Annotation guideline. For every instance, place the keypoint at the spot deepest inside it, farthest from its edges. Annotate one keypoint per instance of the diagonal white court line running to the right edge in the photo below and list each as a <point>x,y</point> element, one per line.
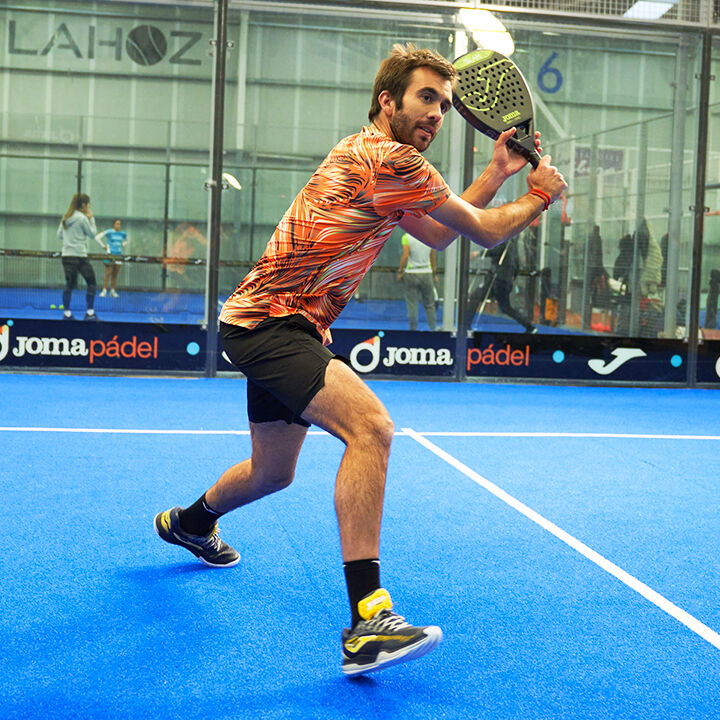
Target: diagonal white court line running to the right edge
<point>632,582</point>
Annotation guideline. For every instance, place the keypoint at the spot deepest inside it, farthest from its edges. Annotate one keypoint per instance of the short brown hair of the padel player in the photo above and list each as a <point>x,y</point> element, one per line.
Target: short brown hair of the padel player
<point>394,72</point>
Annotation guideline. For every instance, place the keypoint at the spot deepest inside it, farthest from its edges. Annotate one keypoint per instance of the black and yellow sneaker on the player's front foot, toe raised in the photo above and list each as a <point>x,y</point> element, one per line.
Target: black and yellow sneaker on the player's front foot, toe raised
<point>383,638</point>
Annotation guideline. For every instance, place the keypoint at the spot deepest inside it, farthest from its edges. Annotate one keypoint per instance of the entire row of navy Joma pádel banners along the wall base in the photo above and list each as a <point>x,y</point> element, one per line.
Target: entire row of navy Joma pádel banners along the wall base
<point>78,345</point>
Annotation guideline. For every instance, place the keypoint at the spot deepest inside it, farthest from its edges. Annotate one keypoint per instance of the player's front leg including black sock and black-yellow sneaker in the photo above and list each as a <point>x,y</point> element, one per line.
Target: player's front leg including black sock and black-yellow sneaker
<point>347,408</point>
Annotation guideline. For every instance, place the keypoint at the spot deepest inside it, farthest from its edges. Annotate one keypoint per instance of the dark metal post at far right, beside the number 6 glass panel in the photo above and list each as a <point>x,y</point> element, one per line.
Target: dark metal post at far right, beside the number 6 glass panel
<point>699,207</point>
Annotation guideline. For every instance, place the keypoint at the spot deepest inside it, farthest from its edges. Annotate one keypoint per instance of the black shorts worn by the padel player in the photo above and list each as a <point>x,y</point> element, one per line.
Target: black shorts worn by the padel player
<point>284,361</point>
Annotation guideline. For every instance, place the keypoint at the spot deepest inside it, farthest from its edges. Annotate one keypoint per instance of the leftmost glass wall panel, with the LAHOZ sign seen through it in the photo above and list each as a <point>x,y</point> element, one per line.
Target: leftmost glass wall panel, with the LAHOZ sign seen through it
<point>113,100</point>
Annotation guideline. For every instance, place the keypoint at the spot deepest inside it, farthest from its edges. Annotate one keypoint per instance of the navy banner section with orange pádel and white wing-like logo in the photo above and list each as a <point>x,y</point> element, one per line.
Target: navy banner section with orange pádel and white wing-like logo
<point>576,357</point>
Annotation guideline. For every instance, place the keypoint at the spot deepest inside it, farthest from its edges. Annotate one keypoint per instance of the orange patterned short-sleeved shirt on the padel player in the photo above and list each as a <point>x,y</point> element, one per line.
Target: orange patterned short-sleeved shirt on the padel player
<point>334,230</point>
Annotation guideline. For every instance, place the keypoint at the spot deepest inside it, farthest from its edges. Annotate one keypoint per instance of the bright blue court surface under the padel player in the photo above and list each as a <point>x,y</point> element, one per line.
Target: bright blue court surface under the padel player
<point>564,538</point>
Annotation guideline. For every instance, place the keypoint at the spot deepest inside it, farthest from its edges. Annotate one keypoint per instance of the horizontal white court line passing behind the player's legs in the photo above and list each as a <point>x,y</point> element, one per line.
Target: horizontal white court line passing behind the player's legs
<point>412,433</point>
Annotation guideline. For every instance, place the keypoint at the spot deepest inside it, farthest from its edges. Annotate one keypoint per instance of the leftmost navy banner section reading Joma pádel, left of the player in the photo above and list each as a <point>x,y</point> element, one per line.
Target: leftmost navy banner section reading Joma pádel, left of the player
<point>101,346</point>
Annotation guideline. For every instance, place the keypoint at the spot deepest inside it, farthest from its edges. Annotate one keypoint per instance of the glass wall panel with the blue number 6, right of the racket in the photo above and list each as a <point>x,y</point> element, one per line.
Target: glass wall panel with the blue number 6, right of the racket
<point>618,118</point>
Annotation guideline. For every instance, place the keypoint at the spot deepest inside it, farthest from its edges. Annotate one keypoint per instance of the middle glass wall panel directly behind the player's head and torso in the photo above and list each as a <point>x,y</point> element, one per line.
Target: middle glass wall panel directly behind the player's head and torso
<point>307,84</point>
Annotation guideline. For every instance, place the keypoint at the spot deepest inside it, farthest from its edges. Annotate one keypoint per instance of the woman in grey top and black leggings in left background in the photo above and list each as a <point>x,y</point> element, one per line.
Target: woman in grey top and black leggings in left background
<point>76,228</point>
